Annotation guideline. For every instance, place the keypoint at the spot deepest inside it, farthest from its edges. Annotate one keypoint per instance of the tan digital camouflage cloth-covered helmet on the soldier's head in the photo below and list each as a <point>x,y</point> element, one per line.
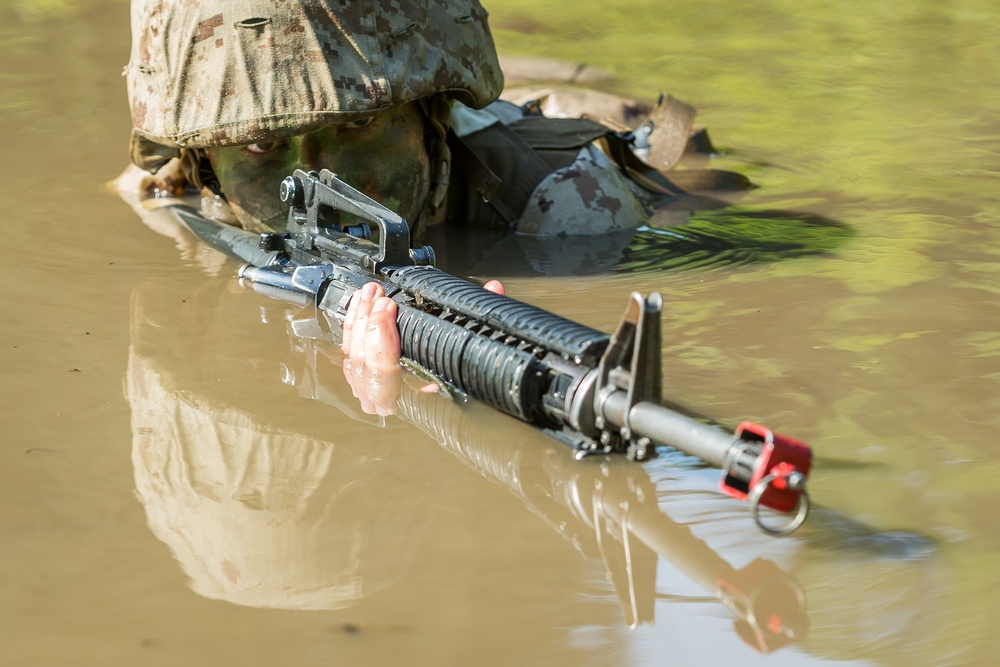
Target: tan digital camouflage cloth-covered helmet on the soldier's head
<point>236,72</point>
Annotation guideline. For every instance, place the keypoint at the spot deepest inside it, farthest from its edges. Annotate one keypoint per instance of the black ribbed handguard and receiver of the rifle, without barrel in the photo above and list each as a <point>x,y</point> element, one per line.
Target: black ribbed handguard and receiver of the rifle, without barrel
<point>517,358</point>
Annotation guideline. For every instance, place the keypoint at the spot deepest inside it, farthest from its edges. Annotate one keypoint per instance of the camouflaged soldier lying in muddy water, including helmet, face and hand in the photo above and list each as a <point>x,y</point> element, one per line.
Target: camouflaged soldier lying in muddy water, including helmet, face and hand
<point>398,98</point>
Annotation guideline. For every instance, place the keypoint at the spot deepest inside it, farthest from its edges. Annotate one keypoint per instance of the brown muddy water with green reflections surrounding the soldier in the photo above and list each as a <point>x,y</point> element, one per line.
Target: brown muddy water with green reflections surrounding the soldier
<point>184,481</point>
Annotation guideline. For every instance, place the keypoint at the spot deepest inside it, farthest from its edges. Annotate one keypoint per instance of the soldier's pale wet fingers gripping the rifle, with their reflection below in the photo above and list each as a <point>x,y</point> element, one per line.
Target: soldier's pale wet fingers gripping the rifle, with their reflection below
<point>372,350</point>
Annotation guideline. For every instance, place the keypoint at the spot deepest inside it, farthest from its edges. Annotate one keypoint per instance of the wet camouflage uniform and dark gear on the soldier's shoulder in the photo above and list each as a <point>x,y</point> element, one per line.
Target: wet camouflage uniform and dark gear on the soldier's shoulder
<point>569,176</point>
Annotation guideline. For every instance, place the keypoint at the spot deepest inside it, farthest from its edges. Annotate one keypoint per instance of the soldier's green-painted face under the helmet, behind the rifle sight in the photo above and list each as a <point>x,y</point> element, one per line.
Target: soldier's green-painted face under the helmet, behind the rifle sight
<point>384,156</point>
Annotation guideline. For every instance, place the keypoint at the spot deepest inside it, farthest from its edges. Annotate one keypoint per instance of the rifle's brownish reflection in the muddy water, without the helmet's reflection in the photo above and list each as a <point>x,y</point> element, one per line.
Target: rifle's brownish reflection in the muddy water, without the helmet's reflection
<point>611,511</point>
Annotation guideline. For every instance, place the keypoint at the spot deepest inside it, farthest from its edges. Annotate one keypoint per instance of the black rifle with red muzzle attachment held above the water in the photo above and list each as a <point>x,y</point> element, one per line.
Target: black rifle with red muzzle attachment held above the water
<point>599,394</point>
